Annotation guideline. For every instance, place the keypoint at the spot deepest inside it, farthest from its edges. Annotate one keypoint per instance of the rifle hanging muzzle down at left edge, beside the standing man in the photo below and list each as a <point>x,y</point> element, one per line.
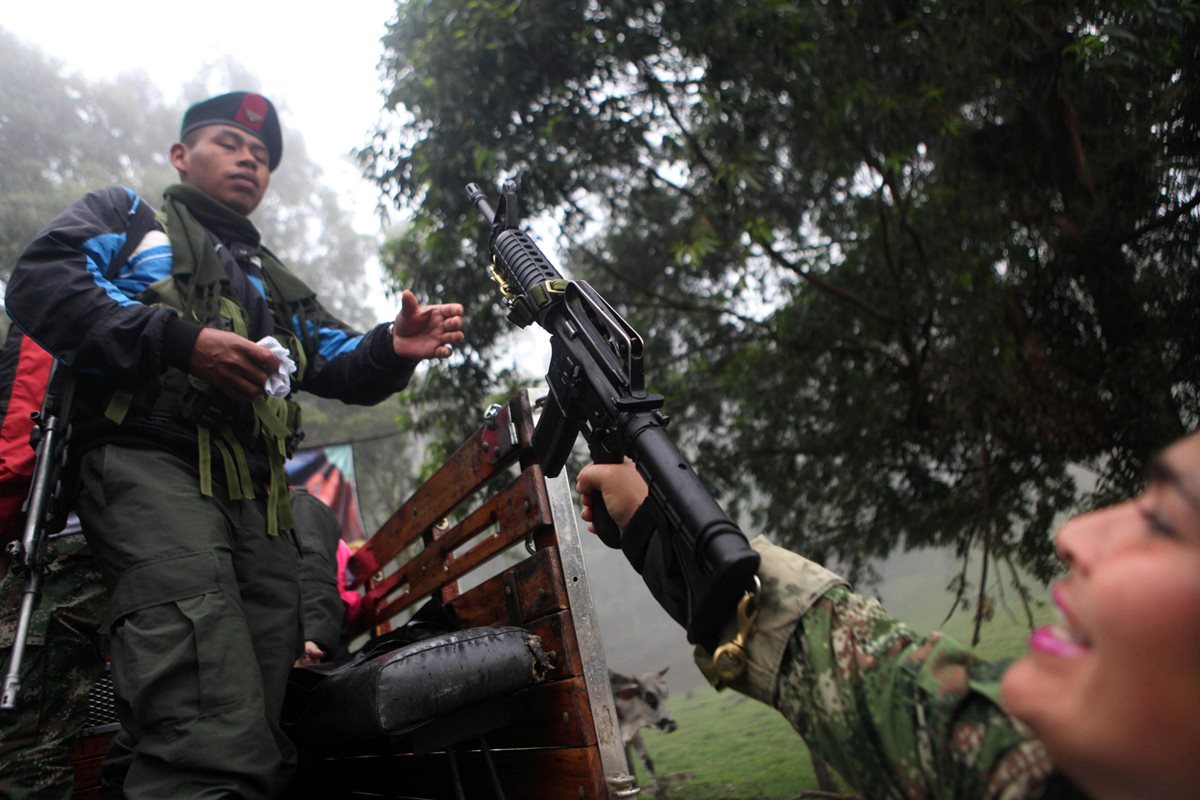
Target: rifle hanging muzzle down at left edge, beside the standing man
<point>45,513</point>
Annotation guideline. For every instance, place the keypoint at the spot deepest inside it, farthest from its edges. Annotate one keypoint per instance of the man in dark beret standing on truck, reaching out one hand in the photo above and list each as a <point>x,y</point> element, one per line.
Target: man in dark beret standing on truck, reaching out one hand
<point>187,354</point>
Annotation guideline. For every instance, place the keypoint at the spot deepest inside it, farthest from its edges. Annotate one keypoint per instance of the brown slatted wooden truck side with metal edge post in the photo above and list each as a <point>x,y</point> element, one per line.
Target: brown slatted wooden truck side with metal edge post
<point>557,738</point>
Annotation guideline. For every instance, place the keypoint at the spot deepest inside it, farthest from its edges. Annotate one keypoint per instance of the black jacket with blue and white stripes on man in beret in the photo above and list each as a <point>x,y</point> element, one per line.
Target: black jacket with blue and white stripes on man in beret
<point>68,297</point>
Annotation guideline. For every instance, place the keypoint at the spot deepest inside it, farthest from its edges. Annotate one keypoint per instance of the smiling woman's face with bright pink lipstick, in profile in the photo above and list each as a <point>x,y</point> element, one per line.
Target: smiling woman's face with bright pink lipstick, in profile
<point>1114,689</point>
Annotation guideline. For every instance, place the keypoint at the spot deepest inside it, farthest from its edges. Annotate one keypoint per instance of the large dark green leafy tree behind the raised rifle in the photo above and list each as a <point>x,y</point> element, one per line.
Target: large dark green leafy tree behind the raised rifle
<point>899,266</point>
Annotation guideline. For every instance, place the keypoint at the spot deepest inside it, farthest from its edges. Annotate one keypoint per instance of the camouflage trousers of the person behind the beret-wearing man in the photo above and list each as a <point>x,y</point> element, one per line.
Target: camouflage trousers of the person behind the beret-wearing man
<point>63,661</point>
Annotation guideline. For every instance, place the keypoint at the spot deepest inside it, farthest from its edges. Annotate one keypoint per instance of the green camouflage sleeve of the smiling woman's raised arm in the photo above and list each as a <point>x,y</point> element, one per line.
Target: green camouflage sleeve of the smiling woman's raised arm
<point>899,715</point>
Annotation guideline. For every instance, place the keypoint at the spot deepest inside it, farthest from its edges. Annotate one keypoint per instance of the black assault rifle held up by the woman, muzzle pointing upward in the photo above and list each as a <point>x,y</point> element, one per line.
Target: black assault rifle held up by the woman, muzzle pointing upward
<point>596,382</point>
